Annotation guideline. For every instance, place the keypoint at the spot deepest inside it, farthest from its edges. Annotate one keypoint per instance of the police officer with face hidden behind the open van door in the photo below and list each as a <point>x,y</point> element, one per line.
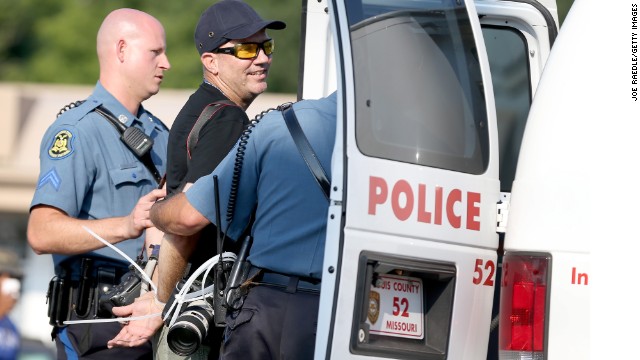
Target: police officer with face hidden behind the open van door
<point>288,232</point>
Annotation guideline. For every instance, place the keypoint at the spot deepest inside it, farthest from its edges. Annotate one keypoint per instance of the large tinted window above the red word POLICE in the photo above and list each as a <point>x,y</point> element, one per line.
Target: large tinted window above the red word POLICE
<point>419,91</point>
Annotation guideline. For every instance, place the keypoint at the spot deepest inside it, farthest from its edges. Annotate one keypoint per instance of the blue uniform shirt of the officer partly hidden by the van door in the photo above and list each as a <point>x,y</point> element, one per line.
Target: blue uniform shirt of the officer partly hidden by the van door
<point>291,214</point>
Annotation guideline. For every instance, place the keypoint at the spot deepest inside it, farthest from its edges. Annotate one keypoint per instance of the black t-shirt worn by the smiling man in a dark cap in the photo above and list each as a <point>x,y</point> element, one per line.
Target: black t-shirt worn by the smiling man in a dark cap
<point>216,138</point>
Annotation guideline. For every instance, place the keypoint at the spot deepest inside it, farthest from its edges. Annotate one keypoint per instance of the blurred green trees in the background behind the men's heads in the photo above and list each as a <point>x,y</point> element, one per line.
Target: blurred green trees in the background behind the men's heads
<point>54,41</point>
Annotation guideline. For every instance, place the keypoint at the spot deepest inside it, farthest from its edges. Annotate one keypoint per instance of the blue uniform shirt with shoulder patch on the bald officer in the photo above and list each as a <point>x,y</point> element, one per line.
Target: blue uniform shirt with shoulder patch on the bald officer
<point>87,171</point>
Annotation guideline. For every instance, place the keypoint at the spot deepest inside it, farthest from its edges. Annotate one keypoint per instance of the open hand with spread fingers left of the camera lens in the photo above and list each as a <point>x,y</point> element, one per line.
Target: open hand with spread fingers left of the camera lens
<point>137,332</point>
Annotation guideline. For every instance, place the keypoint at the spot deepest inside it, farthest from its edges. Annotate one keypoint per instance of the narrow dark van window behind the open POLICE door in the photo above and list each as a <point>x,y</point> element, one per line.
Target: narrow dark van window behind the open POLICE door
<point>510,75</point>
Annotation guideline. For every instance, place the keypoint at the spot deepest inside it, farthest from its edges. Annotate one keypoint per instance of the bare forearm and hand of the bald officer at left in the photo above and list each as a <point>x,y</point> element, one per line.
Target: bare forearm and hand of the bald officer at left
<point>51,231</point>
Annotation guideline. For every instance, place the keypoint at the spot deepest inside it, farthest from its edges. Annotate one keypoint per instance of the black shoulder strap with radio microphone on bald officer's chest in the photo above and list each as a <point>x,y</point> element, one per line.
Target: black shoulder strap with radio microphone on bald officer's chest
<point>135,140</point>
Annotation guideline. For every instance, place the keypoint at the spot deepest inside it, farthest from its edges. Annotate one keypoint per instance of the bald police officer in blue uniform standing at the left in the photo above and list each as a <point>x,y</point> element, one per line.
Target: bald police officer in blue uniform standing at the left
<point>89,178</point>
